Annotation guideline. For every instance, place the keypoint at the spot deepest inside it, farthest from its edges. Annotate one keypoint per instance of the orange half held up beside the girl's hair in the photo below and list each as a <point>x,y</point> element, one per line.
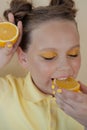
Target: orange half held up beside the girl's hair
<point>8,33</point>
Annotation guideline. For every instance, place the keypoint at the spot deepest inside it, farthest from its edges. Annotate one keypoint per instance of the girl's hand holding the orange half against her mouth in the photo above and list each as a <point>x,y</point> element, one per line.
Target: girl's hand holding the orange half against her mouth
<point>74,104</point>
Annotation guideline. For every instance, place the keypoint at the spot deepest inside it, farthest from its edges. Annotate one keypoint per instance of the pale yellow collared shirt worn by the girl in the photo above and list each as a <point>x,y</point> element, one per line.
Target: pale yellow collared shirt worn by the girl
<point>24,107</point>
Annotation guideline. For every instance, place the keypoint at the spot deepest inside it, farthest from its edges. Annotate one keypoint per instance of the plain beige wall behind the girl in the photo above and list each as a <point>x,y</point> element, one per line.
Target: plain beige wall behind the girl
<point>15,68</point>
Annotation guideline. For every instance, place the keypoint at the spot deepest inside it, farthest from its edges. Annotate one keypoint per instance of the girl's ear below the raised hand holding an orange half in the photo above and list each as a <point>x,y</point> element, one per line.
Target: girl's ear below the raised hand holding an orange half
<point>22,57</point>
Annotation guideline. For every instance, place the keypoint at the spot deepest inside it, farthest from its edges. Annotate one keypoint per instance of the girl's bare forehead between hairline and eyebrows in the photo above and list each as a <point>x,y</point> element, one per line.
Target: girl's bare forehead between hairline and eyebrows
<point>55,33</point>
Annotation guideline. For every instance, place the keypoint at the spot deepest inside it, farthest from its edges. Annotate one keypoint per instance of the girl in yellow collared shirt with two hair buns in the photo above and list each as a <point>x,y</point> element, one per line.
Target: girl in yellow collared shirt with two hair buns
<point>49,48</point>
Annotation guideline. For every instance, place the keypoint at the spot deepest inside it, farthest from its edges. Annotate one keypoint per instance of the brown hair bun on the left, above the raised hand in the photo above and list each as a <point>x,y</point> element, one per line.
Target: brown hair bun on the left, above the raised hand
<point>19,8</point>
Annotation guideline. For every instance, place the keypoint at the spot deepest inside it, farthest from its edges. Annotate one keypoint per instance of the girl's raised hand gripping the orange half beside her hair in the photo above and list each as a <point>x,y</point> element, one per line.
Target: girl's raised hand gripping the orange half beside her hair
<point>8,51</point>
